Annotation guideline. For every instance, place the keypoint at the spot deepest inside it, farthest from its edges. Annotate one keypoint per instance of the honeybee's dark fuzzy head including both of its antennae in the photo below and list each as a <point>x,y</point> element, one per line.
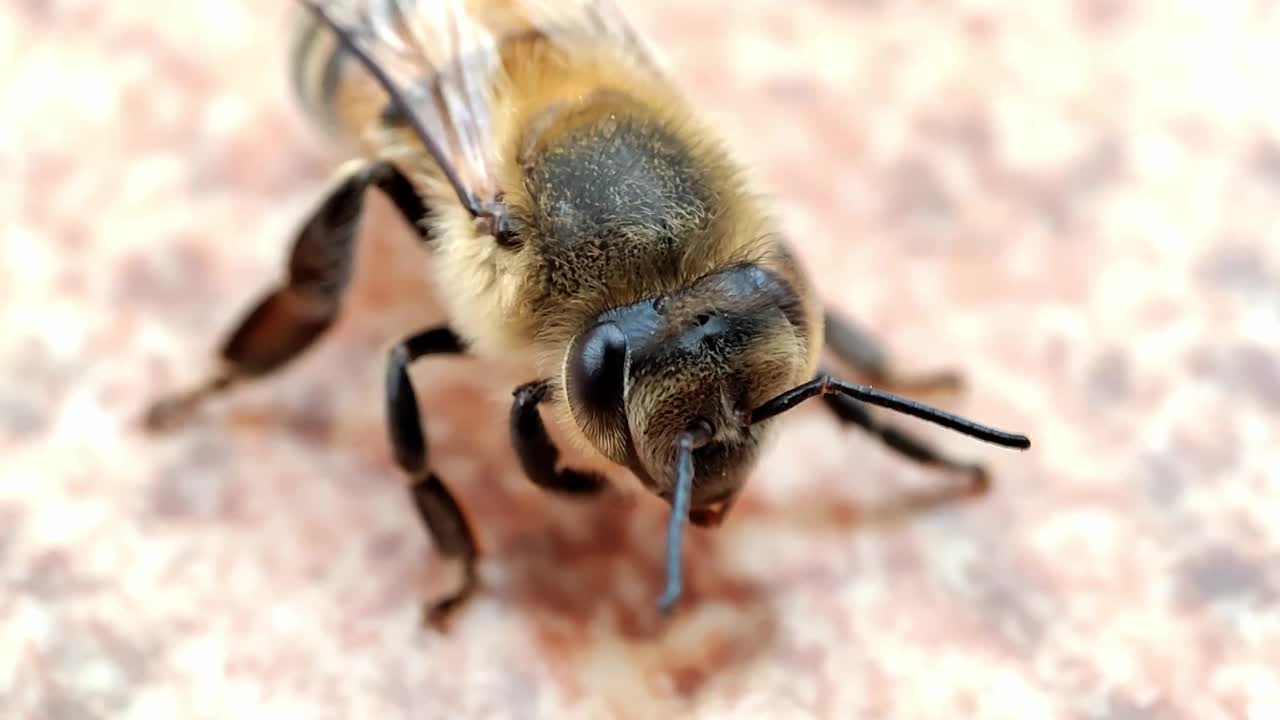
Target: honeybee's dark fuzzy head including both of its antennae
<point>679,389</point>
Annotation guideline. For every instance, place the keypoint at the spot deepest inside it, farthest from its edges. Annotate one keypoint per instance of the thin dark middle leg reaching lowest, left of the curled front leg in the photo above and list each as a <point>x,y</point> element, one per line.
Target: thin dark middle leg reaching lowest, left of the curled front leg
<point>441,513</point>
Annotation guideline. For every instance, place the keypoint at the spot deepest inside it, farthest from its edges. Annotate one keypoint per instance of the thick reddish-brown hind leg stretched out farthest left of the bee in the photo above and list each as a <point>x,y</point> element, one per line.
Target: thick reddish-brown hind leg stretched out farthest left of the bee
<point>294,316</point>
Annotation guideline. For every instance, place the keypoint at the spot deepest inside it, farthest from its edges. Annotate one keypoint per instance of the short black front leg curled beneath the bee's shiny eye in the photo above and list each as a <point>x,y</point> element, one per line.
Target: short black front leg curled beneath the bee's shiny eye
<point>537,452</point>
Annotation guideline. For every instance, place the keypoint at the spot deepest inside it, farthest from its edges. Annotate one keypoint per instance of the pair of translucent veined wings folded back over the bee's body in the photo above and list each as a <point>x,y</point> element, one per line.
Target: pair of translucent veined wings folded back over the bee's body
<point>437,61</point>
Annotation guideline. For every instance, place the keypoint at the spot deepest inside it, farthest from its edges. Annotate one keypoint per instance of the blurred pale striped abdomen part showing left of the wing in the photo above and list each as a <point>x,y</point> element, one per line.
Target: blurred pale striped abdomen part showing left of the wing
<point>317,65</point>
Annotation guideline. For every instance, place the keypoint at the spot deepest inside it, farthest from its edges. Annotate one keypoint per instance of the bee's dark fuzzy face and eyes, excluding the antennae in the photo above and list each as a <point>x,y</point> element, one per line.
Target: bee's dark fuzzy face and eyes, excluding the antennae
<point>643,375</point>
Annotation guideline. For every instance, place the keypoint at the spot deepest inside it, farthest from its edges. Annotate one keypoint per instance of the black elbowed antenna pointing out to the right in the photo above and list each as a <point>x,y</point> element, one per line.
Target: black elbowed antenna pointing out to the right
<point>826,385</point>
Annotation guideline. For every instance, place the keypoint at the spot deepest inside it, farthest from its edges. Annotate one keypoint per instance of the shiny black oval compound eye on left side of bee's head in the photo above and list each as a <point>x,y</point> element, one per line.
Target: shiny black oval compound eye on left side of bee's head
<point>597,371</point>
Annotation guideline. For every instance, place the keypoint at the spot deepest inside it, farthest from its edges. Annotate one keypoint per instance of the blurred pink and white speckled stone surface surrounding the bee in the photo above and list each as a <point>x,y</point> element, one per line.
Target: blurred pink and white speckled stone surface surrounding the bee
<point>1076,204</point>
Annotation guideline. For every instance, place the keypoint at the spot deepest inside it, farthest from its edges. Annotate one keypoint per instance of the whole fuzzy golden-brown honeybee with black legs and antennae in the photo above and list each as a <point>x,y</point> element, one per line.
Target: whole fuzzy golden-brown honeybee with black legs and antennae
<point>583,221</point>
